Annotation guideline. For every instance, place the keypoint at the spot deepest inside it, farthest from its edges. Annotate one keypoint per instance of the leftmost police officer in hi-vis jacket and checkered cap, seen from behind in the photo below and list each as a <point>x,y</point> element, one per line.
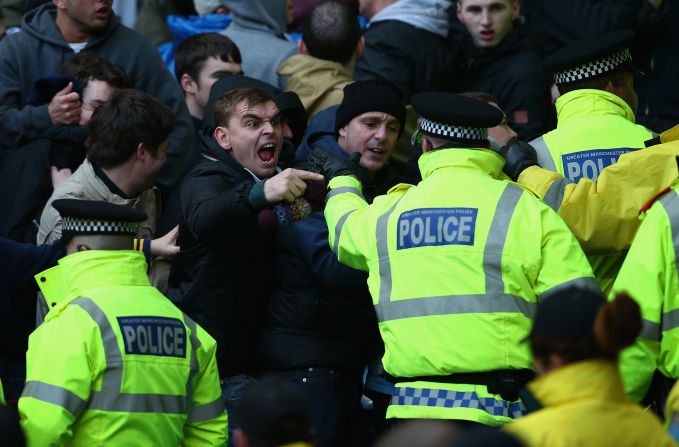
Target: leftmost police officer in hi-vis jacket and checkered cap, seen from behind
<point>116,363</point>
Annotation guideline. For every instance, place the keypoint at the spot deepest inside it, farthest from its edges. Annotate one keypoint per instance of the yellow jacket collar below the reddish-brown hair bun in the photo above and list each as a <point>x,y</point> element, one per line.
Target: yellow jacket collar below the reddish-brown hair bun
<point>588,379</point>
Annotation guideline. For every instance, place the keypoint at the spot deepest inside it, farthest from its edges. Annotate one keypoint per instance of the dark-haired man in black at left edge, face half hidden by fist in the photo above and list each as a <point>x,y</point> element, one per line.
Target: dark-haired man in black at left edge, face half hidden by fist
<point>28,176</point>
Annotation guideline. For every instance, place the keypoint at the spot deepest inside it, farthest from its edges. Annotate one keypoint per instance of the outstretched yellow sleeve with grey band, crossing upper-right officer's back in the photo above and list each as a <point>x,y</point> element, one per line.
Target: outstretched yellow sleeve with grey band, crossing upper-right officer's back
<point>603,214</point>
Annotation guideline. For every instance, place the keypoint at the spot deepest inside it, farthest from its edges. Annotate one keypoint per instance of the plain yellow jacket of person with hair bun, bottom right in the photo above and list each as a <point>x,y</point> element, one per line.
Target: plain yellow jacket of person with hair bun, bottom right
<point>584,405</point>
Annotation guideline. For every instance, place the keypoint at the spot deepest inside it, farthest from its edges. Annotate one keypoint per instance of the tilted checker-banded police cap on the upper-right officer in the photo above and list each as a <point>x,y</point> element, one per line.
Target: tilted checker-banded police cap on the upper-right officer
<point>590,58</point>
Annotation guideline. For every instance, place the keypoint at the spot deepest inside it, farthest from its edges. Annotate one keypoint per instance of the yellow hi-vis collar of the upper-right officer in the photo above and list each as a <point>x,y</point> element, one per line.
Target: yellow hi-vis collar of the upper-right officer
<point>584,103</point>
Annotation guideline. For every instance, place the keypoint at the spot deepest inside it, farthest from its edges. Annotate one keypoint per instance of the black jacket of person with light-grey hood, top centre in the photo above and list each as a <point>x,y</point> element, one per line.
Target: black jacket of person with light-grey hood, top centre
<point>414,60</point>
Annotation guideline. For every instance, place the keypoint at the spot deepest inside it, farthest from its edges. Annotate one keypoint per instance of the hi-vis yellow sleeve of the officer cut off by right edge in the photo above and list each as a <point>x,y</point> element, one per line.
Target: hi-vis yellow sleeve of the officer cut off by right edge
<point>648,275</point>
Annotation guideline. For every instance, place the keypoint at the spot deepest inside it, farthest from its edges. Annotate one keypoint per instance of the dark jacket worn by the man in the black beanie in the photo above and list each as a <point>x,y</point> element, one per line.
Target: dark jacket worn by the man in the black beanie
<point>321,314</point>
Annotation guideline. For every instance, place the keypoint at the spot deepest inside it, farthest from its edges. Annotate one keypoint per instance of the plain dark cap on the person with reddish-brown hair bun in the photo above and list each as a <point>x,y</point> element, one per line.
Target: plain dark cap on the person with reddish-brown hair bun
<point>568,314</point>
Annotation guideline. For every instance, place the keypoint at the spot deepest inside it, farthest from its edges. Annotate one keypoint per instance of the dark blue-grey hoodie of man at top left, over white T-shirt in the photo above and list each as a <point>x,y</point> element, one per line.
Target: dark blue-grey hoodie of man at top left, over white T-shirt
<point>40,49</point>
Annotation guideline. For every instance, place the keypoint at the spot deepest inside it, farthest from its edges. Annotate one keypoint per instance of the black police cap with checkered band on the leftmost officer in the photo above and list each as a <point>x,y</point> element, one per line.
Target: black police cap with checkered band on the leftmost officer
<point>93,217</point>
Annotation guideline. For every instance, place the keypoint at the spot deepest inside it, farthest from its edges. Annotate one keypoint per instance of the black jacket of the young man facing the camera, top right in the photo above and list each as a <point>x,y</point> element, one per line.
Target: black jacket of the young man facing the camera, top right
<point>512,73</point>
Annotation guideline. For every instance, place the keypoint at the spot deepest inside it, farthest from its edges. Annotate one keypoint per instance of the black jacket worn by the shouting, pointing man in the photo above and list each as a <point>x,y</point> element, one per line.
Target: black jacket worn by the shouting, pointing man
<point>224,273</point>
